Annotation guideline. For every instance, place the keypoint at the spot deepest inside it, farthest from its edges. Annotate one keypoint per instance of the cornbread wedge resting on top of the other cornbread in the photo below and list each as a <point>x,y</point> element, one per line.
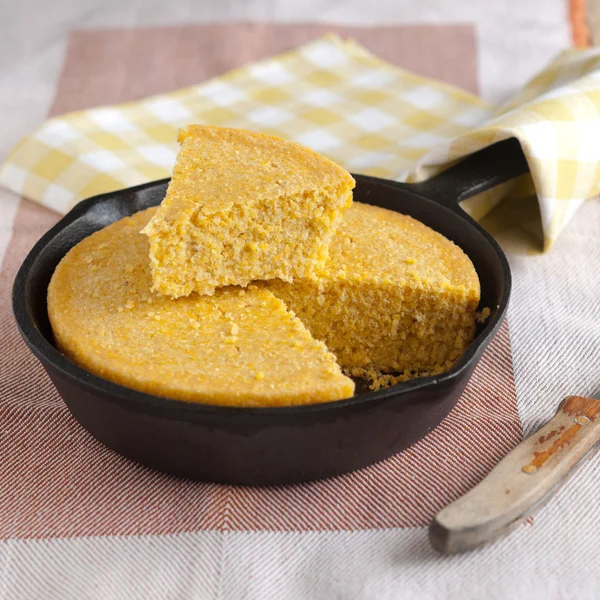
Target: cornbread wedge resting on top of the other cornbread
<point>244,206</point>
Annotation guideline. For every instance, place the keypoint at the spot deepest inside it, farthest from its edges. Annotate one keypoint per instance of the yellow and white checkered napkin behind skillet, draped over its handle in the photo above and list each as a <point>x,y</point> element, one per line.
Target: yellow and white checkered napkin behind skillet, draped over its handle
<point>337,98</point>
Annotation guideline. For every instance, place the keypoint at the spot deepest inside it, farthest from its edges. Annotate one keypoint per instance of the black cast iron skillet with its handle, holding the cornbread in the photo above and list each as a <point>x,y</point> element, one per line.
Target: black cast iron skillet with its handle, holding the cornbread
<point>268,446</point>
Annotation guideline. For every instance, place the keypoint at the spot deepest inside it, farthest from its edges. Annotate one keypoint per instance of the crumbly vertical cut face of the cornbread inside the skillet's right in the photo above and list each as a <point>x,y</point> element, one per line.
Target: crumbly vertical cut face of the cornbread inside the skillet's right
<point>376,326</point>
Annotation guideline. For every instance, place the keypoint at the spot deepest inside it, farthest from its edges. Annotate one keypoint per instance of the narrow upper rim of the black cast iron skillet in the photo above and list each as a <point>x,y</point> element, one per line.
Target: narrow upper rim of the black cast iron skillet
<point>177,409</point>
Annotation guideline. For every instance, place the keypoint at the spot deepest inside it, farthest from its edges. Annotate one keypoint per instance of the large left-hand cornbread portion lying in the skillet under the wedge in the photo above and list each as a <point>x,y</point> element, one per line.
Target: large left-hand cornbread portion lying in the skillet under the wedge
<point>238,347</point>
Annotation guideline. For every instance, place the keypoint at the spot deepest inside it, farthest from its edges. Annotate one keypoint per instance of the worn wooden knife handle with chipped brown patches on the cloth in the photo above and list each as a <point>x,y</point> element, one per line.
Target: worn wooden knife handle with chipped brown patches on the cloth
<point>523,481</point>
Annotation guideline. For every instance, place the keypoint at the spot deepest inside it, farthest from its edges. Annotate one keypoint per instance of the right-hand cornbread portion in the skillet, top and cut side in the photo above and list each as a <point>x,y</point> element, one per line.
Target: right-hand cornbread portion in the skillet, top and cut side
<point>395,296</point>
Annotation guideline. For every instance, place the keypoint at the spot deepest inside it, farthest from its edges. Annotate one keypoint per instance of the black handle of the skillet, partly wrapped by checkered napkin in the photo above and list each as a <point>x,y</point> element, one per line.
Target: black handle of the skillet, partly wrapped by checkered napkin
<point>477,173</point>
